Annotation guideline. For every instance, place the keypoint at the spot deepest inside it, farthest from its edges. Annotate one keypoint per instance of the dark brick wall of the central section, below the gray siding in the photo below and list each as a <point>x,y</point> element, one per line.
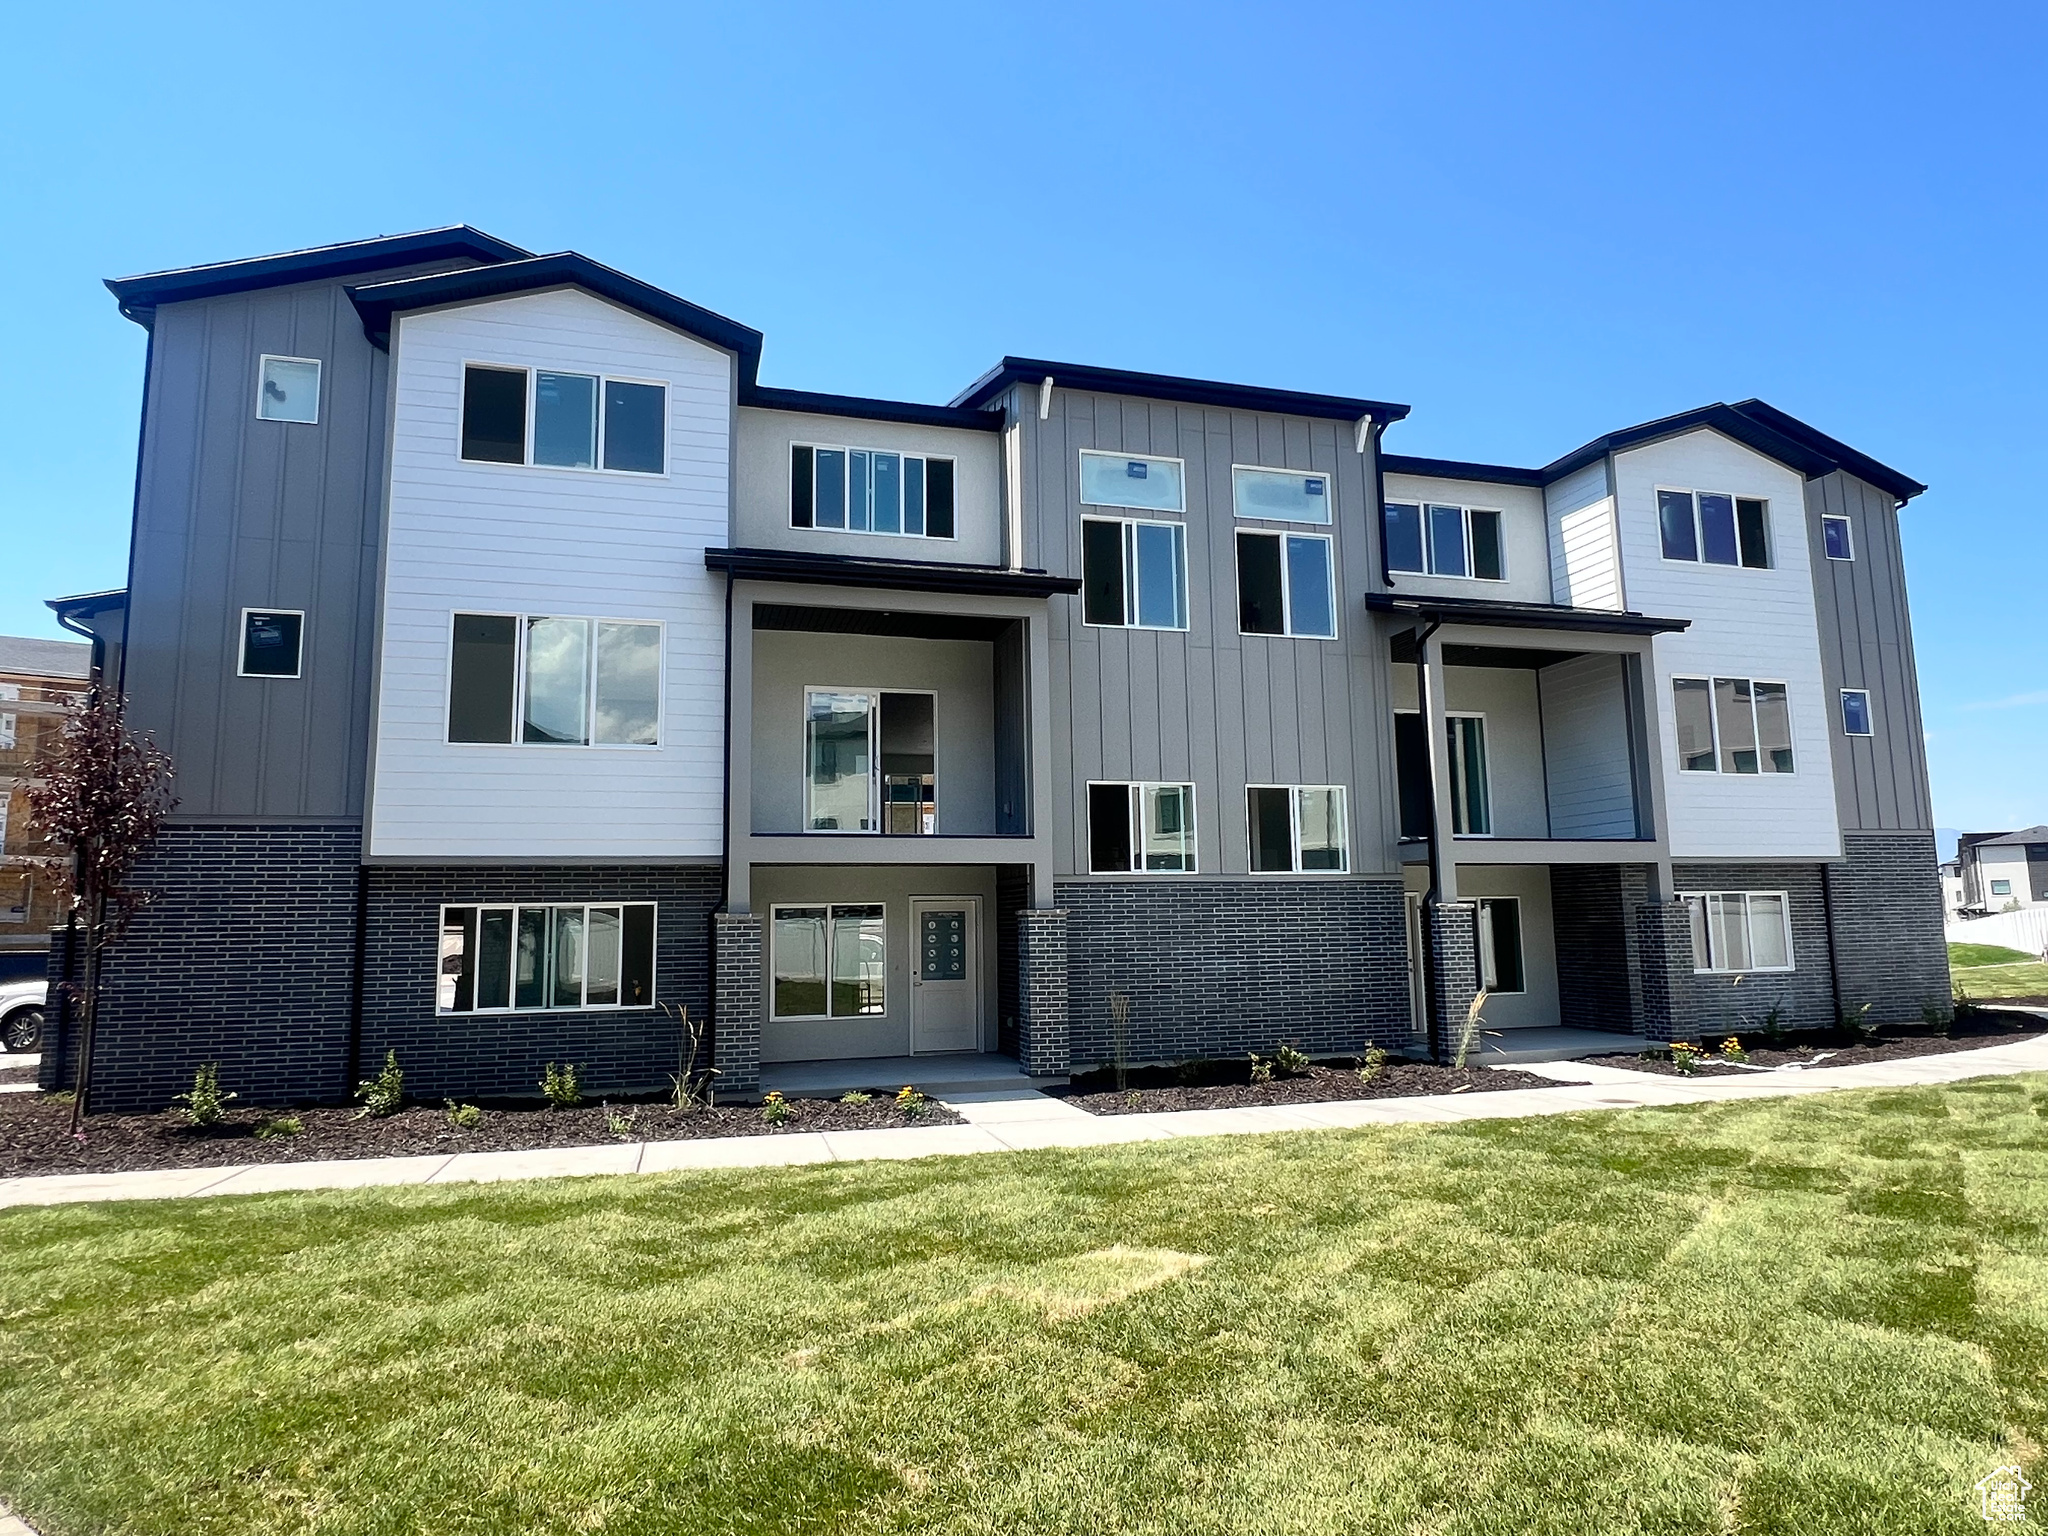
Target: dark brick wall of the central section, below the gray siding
<point>1222,968</point>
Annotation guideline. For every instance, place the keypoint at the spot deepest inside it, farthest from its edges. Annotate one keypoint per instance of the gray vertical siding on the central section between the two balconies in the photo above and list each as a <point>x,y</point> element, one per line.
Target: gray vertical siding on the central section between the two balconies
<point>1209,706</point>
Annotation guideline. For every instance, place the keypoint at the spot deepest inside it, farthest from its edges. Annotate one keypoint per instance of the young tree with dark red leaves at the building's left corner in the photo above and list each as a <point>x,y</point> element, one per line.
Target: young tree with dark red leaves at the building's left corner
<point>101,794</point>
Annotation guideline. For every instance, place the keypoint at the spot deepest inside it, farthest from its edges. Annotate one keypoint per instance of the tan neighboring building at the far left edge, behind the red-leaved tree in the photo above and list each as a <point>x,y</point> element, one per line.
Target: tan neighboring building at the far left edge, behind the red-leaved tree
<point>38,681</point>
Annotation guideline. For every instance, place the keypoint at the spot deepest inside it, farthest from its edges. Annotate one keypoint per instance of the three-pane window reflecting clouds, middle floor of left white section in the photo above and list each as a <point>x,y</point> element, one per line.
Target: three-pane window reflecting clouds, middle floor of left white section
<point>548,681</point>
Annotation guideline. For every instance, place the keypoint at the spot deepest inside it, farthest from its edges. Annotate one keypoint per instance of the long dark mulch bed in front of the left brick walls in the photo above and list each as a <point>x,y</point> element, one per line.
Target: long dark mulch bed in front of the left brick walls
<point>34,1134</point>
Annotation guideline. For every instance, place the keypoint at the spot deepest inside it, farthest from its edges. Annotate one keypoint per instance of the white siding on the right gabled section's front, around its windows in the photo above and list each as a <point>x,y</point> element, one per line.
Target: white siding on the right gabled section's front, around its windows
<point>1744,626</point>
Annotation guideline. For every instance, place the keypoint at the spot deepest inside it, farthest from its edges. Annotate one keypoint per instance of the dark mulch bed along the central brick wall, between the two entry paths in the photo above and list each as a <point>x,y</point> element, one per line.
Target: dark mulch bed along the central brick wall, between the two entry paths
<point>1228,1086</point>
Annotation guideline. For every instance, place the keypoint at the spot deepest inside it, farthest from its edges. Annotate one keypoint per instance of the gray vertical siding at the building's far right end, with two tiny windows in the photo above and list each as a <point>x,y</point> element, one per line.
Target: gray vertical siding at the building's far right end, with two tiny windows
<point>1867,642</point>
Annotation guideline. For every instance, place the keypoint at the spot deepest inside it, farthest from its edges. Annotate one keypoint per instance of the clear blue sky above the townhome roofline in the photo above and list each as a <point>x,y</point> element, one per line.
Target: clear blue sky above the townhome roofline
<point>1535,224</point>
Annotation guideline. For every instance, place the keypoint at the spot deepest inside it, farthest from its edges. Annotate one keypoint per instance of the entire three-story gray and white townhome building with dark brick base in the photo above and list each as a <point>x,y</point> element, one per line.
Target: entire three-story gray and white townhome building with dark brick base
<point>534,671</point>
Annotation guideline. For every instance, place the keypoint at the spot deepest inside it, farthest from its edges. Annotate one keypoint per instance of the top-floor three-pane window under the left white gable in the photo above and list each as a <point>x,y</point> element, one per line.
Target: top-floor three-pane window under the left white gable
<point>564,421</point>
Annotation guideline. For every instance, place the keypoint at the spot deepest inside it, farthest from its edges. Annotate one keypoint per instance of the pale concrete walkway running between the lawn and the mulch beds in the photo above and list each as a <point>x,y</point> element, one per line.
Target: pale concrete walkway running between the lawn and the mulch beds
<point>1021,1119</point>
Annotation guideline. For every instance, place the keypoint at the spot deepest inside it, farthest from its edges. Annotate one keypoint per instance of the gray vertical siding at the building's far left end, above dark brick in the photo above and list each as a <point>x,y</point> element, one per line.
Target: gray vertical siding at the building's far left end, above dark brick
<point>239,513</point>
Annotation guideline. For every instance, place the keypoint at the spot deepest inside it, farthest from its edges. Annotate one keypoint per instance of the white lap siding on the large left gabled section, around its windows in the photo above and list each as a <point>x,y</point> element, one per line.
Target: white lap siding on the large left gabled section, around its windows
<point>513,540</point>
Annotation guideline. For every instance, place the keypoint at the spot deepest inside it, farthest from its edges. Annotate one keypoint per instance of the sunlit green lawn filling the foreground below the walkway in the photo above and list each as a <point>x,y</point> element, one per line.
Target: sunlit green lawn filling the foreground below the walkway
<point>1791,1316</point>
